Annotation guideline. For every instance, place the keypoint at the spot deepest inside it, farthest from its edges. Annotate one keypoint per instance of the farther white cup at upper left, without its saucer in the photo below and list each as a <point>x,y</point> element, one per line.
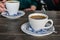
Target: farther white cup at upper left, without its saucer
<point>12,7</point>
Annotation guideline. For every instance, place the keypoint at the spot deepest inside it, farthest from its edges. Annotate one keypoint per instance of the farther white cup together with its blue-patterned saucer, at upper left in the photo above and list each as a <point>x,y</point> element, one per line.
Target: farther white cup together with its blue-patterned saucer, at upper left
<point>12,10</point>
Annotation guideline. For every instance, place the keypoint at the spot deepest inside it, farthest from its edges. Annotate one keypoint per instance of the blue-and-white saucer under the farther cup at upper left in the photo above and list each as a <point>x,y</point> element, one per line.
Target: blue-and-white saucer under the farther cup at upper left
<point>15,16</point>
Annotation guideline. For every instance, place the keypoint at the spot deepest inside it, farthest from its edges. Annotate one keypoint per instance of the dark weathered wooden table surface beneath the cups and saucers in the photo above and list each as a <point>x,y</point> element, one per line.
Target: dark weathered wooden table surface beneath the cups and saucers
<point>11,29</point>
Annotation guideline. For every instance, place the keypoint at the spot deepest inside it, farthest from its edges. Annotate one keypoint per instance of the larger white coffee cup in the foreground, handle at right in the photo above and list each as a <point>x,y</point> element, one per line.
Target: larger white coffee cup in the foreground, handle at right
<point>38,24</point>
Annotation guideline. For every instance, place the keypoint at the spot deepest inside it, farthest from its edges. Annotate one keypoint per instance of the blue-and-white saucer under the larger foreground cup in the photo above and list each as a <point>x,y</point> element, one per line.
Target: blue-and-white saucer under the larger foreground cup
<point>41,33</point>
